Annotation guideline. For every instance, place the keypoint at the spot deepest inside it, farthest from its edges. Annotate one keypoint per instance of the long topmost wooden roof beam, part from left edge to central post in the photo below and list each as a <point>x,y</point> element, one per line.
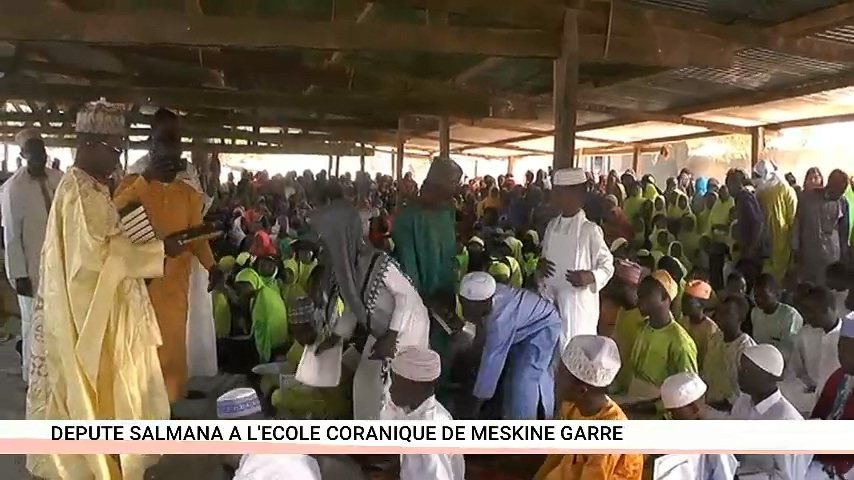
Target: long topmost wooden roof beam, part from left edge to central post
<point>210,31</point>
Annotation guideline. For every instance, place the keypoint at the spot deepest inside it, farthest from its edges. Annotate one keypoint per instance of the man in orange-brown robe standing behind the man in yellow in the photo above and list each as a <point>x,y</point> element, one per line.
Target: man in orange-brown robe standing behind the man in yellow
<point>172,206</point>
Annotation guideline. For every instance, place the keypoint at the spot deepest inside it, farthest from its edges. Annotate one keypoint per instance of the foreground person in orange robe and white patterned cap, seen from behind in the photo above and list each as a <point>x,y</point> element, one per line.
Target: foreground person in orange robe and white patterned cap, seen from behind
<point>588,366</point>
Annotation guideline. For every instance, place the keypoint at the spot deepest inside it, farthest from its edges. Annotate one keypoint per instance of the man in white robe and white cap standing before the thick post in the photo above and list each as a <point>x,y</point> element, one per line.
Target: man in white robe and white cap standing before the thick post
<point>576,262</point>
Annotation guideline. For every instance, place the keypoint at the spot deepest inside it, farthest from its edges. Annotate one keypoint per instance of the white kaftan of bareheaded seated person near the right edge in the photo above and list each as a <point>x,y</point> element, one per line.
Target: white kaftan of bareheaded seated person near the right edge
<point>814,358</point>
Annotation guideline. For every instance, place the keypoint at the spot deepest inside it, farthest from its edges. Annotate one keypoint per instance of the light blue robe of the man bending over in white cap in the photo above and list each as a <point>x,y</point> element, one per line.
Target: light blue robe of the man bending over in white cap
<point>521,335</point>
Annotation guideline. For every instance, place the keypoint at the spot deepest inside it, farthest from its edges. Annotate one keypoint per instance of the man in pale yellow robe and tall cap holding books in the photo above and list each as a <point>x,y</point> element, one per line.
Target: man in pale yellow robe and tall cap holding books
<point>95,335</point>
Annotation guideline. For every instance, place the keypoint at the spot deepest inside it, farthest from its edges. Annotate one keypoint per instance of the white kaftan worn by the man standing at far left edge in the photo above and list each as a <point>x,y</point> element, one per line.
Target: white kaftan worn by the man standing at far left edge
<point>24,206</point>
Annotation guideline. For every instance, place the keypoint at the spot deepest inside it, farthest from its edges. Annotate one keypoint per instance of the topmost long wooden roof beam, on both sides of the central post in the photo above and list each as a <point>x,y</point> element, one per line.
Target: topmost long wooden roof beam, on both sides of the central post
<point>668,47</point>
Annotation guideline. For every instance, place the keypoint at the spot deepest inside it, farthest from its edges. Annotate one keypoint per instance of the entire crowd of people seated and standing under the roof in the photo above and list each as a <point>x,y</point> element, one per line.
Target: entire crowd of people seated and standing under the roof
<point>556,296</point>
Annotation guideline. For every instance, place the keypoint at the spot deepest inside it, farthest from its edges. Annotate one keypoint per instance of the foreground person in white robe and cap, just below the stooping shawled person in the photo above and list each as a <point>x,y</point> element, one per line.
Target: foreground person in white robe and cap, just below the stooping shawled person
<point>414,371</point>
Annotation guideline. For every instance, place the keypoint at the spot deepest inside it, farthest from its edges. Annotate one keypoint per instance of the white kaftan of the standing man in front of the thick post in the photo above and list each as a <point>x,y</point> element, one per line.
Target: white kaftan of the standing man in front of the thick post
<point>575,243</point>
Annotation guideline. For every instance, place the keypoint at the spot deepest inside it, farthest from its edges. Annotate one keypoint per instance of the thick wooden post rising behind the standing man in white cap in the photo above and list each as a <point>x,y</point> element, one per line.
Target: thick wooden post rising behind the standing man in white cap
<point>566,92</point>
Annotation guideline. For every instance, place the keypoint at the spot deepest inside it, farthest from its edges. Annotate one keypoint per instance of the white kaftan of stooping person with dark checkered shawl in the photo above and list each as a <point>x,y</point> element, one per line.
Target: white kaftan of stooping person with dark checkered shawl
<point>412,322</point>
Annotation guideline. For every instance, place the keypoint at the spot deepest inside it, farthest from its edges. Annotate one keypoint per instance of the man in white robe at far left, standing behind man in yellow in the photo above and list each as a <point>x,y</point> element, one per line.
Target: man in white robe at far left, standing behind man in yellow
<point>25,203</point>
